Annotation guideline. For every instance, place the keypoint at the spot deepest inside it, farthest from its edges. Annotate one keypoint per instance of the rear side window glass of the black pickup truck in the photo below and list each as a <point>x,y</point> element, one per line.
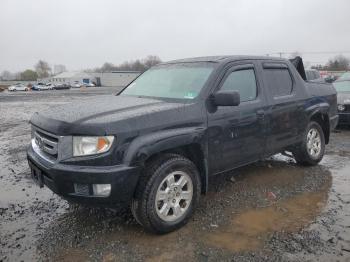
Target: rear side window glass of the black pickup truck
<point>279,81</point>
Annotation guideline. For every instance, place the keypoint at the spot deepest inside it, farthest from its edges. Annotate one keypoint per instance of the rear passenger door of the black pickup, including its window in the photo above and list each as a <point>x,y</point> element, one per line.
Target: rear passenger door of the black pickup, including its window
<point>285,112</point>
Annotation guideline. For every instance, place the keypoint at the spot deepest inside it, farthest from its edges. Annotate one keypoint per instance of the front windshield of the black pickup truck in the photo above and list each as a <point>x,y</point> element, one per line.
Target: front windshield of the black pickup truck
<point>183,80</point>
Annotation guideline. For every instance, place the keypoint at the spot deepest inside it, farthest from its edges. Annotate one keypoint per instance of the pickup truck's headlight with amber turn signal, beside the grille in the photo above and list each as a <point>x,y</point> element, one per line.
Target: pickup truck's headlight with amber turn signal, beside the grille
<point>91,145</point>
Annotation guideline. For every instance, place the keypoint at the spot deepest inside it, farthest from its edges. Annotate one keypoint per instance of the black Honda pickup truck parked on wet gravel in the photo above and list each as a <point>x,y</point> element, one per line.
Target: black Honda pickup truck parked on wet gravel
<point>154,145</point>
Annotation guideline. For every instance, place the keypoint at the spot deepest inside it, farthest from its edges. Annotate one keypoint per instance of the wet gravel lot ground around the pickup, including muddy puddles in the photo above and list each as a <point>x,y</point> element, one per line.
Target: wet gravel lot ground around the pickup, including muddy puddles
<point>269,211</point>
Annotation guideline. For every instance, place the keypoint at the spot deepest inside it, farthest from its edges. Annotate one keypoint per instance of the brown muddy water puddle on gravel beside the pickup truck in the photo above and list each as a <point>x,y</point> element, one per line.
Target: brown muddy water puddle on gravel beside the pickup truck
<point>248,230</point>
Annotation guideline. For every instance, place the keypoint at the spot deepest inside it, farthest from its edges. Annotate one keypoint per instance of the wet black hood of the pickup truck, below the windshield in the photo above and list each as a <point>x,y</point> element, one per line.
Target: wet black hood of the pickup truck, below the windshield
<point>110,115</point>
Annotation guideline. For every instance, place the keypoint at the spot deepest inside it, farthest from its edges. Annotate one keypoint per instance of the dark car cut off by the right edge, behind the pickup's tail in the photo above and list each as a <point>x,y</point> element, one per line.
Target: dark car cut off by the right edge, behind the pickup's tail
<point>342,85</point>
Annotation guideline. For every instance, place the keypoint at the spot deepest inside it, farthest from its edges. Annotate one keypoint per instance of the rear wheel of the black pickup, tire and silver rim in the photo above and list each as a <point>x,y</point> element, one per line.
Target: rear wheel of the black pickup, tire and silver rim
<point>310,154</point>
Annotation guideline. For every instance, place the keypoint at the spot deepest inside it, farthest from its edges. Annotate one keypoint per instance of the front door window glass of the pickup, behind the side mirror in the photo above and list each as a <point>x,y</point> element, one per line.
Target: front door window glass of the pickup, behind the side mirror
<point>242,81</point>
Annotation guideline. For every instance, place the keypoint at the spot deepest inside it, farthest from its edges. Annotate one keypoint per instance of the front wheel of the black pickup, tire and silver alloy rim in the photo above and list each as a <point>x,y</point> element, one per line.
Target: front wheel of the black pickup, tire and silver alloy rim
<point>158,205</point>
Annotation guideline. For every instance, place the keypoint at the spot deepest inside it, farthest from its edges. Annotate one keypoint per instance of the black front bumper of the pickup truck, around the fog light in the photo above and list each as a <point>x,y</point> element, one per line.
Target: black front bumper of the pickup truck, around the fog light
<point>60,178</point>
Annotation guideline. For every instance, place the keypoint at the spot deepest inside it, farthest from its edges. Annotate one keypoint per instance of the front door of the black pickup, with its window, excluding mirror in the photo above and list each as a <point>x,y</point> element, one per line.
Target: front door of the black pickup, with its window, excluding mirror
<point>237,134</point>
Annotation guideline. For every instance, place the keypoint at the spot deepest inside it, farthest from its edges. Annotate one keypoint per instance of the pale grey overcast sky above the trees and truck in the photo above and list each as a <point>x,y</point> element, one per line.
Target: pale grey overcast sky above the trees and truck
<point>85,34</point>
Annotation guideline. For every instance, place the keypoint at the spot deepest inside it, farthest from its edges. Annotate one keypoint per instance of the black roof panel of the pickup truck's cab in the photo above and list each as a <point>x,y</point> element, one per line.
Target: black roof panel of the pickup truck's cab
<point>226,58</point>
